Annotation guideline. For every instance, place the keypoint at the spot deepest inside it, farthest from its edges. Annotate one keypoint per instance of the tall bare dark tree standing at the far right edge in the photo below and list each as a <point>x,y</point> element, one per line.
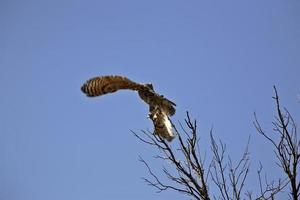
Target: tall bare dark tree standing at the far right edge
<point>286,145</point>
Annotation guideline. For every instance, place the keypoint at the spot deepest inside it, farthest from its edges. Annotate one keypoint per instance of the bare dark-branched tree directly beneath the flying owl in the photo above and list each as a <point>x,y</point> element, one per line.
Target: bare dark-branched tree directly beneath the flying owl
<point>189,176</point>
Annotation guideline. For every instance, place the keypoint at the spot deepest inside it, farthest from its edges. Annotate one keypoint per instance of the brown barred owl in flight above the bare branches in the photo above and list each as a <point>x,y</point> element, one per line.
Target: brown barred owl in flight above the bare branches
<point>160,108</point>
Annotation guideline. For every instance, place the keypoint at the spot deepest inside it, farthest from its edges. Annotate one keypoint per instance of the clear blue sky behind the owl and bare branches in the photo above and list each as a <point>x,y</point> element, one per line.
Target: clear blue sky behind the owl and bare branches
<point>216,59</point>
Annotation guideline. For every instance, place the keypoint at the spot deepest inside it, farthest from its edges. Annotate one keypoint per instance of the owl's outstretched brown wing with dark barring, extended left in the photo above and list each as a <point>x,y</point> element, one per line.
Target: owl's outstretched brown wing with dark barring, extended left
<point>108,84</point>
